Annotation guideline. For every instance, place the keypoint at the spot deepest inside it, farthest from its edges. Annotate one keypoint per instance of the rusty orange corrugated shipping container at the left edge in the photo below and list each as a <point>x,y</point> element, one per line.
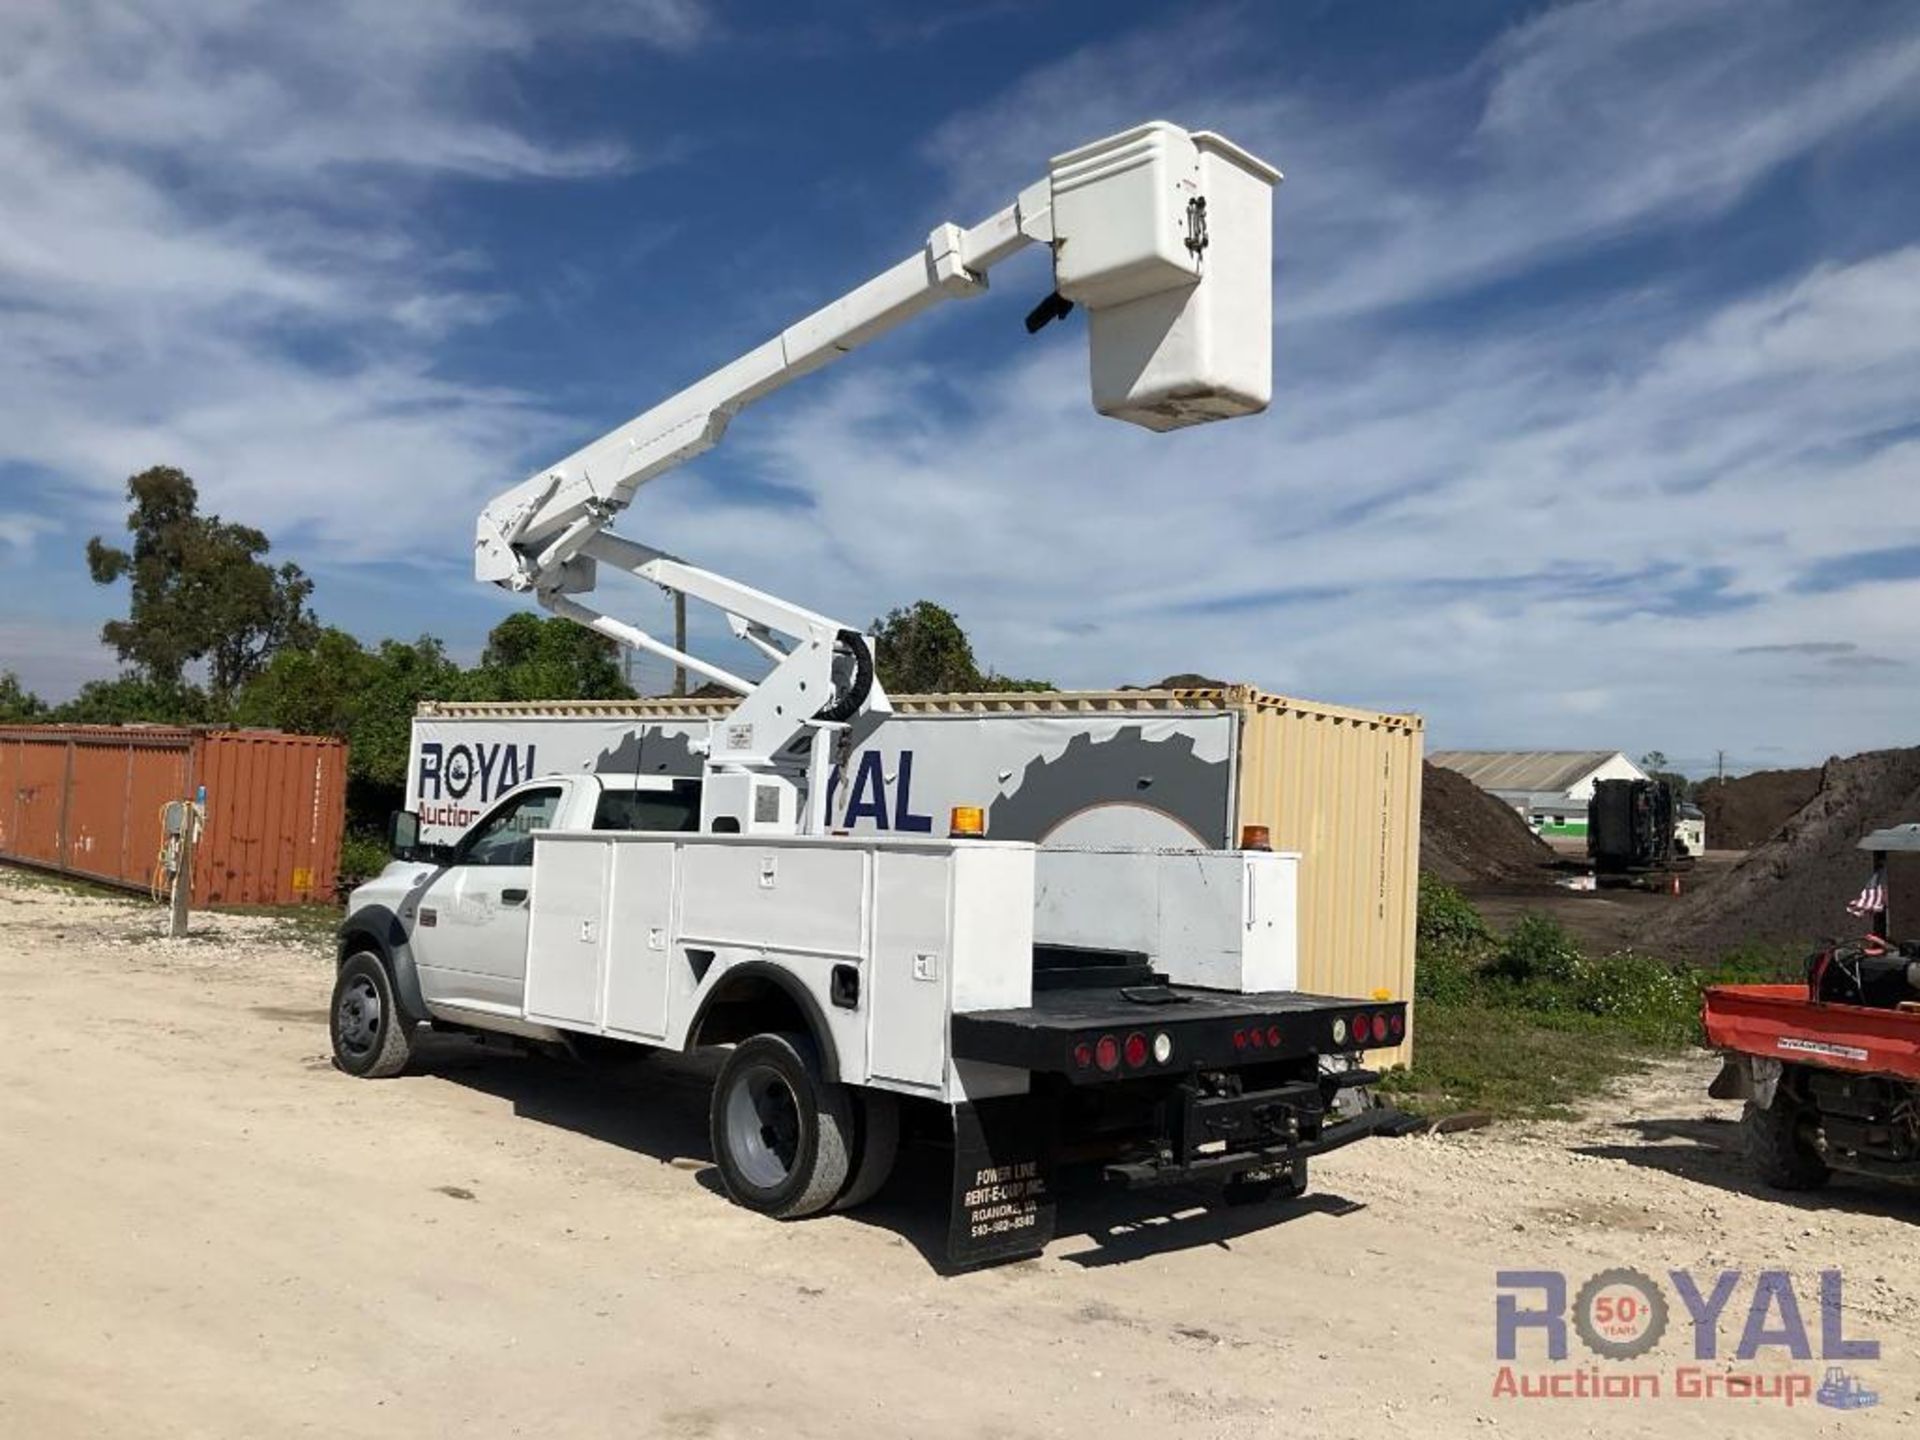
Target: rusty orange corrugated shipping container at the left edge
<point>87,802</point>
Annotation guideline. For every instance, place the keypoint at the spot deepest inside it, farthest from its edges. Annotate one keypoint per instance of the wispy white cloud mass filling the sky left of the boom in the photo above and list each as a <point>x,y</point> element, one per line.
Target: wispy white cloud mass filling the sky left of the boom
<point>191,189</point>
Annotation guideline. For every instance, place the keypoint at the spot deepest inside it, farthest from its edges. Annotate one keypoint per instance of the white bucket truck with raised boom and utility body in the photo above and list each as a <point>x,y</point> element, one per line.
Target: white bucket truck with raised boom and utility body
<point>1130,1009</point>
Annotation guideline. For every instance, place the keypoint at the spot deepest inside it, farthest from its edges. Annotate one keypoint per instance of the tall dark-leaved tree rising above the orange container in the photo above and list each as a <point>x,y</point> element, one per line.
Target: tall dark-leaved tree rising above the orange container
<point>201,590</point>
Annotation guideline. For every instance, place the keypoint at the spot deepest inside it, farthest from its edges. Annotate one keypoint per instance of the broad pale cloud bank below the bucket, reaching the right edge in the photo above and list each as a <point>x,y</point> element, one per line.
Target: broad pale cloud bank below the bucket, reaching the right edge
<point>1520,531</point>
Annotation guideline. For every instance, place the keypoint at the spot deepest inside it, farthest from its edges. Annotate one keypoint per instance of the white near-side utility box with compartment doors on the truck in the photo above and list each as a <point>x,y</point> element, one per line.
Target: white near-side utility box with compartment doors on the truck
<point>633,932</point>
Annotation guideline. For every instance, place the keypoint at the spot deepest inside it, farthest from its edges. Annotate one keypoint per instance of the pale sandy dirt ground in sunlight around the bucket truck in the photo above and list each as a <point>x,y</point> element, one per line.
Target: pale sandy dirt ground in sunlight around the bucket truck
<point>208,1232</point>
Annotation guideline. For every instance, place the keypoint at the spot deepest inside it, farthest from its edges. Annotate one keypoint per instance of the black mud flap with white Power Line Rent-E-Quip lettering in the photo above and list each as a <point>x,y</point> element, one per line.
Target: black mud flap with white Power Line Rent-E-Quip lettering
<point>1003,1189</point>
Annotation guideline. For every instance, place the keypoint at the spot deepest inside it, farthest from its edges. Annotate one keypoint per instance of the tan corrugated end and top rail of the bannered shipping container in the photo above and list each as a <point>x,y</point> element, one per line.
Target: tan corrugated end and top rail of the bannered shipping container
<point>1335,784</point>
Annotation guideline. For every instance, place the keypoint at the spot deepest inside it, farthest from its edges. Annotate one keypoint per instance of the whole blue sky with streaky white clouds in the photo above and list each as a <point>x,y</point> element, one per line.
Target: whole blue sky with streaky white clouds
<point>1596,402</point>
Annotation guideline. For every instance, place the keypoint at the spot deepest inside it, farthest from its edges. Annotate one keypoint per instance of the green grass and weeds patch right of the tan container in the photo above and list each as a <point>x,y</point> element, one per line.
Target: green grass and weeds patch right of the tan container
<point>1529,1024</point>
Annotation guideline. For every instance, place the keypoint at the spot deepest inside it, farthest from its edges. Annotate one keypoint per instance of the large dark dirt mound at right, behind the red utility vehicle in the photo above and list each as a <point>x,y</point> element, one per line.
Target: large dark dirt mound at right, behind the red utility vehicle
<point>1798,884</point>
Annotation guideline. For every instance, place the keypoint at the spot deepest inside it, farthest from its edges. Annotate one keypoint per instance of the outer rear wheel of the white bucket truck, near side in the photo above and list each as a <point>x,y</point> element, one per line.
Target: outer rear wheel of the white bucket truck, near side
<point>782,1134</point>
